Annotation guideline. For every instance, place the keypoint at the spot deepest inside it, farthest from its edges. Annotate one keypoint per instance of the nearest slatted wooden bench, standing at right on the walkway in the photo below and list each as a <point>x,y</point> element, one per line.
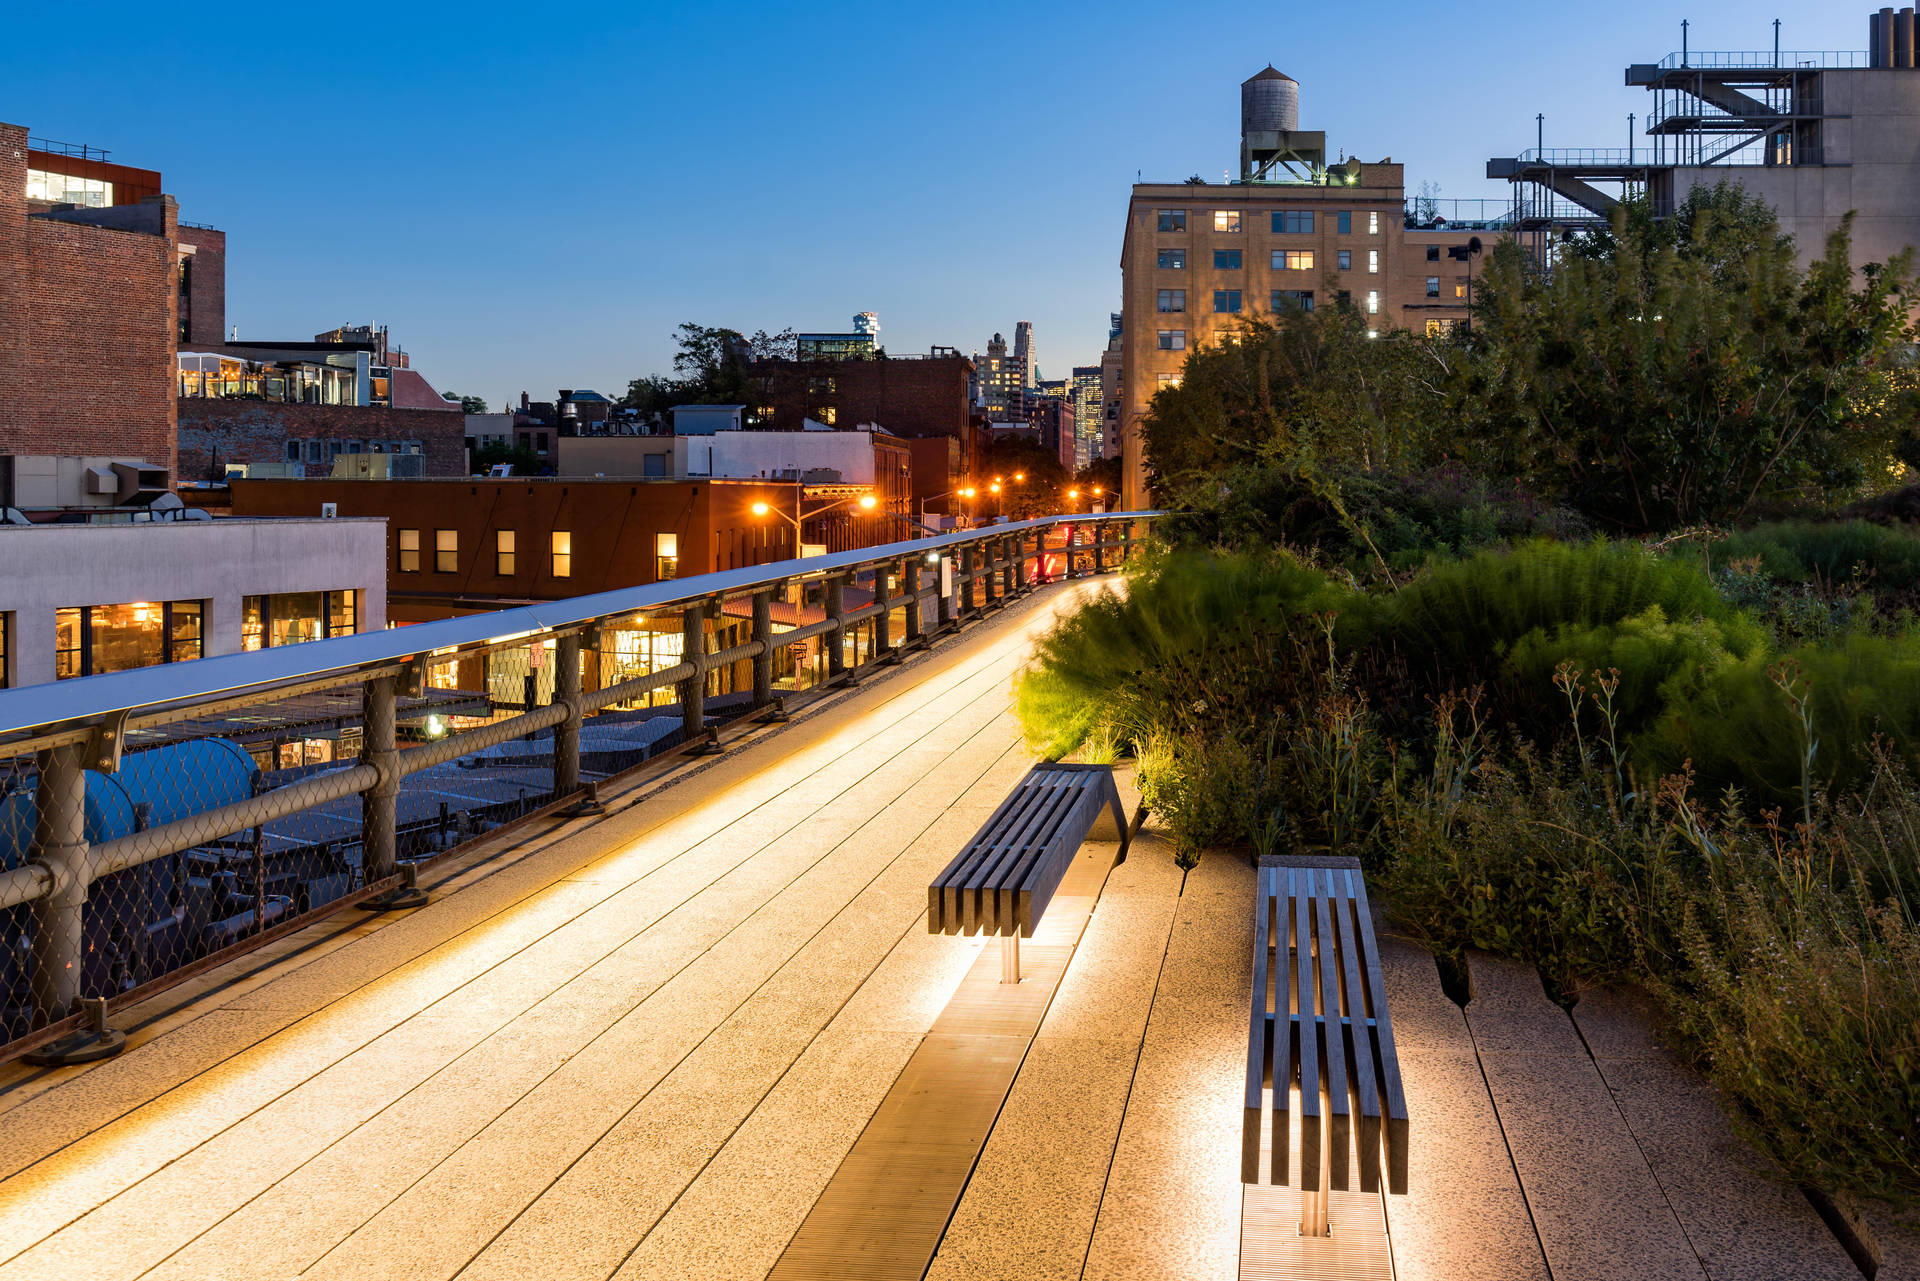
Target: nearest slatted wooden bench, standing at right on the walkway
<point>1318,980</point>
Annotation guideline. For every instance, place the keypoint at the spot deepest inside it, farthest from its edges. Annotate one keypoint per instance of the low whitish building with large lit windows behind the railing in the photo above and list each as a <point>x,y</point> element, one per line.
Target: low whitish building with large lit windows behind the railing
<point>78,600</point>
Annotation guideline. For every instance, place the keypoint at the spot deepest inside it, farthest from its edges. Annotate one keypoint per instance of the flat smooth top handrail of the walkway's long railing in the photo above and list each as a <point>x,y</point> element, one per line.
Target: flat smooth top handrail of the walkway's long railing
<point>89,700</point>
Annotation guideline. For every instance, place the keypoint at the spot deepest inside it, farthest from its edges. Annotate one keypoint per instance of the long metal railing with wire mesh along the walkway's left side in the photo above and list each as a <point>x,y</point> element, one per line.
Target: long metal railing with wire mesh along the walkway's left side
<point>156,821</point>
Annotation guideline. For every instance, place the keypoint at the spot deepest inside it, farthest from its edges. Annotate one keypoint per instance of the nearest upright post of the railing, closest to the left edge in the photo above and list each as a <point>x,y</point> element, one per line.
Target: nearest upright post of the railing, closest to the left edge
<point>60,842</point>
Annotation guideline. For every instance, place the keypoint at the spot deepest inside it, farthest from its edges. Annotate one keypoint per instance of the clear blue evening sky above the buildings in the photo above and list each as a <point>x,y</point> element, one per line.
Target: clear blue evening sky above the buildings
<point>533,197</point>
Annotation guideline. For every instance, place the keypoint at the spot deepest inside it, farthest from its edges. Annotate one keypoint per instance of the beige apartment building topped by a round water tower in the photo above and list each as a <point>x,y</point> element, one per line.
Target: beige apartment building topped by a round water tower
<point>1203,258</point>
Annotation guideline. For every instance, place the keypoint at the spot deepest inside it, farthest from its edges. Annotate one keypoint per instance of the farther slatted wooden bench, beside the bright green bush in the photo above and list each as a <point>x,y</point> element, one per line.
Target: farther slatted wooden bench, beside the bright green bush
<point>1003,881</point>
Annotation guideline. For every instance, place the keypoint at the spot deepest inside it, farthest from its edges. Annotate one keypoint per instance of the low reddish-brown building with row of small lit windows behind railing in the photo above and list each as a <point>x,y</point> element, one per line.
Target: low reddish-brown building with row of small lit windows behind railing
<point>468,546</point>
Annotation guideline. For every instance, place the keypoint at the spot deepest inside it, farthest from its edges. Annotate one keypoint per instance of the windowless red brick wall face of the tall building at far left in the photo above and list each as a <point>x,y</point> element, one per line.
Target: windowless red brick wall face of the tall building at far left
<point>87,327</point>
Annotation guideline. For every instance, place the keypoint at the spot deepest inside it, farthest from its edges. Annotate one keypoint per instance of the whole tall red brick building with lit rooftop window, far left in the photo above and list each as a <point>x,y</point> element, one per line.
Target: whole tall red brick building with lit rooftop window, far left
<point>89,320</point>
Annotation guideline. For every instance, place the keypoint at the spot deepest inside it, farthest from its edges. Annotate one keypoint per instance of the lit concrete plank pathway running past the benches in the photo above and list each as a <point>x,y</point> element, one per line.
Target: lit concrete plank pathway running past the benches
<point>644,1046</point>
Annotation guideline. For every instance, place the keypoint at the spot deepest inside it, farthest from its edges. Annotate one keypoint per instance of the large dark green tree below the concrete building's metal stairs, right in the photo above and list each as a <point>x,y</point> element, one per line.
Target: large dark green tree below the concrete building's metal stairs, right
<point>1692,374</point>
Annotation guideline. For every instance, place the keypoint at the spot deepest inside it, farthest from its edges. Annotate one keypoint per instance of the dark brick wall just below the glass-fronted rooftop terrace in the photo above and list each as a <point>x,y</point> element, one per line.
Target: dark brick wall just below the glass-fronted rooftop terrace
<point>252,431</point>
